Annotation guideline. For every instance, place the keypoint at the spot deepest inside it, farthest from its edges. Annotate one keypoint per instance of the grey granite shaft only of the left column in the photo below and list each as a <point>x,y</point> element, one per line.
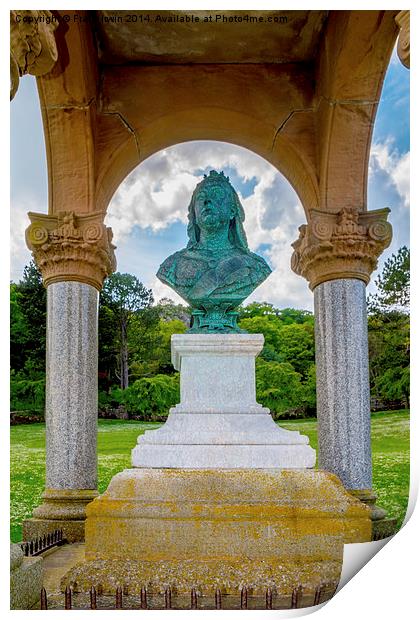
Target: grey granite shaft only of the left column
<point>72,386</point>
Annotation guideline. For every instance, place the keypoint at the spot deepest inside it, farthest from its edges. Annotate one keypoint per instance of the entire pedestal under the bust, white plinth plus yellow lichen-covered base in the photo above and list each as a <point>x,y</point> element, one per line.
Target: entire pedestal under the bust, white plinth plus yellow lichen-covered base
<point>219,496</point>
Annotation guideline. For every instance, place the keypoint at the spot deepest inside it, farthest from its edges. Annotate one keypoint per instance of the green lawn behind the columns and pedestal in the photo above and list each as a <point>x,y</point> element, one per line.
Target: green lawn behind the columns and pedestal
<point>390,447</point>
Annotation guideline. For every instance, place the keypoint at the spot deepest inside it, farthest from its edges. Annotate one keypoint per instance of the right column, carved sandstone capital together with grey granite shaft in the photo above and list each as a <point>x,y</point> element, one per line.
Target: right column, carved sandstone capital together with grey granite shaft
<point>336,253</point>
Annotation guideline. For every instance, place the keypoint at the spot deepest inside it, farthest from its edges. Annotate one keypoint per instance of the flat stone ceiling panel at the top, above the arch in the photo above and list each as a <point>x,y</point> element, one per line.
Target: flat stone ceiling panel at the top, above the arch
<point>142,37</point>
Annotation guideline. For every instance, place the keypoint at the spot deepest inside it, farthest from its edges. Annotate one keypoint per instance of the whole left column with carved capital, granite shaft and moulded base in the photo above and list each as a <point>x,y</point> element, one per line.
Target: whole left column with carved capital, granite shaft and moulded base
<point>74,254</point>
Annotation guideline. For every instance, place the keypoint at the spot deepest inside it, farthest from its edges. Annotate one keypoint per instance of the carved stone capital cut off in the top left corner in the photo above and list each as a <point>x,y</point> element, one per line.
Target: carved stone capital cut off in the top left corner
<point>32,45</point>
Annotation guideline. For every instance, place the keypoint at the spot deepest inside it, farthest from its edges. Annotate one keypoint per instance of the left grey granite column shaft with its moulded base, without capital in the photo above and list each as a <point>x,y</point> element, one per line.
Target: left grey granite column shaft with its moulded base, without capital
<point>71,411</point>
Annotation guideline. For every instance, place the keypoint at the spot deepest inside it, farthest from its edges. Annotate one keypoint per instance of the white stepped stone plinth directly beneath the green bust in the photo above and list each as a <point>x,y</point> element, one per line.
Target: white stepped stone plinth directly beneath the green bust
<point>218,423</point>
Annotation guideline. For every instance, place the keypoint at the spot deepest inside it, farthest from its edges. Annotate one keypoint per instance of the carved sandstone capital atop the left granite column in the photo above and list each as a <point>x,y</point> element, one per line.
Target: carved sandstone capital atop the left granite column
<point>69,246</point>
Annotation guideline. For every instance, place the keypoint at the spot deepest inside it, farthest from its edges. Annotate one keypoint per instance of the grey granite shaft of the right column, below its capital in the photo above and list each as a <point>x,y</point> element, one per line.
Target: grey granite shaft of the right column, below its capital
<point>343,396</point>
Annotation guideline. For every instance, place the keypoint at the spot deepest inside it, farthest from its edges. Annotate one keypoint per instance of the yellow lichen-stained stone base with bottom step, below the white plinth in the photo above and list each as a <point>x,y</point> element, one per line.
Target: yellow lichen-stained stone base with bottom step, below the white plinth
<point>219,529</point>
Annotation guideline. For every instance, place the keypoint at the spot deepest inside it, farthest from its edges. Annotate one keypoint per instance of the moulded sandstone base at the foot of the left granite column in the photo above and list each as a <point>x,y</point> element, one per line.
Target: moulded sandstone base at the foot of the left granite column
<point>62,509</point>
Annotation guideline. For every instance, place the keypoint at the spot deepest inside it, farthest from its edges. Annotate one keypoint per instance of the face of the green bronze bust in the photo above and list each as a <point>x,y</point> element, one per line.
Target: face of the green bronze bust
<point>213,208</point>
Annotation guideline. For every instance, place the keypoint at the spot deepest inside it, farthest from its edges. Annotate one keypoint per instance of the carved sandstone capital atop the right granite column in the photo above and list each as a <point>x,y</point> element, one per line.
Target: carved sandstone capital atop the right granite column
<point>340,245</point>
